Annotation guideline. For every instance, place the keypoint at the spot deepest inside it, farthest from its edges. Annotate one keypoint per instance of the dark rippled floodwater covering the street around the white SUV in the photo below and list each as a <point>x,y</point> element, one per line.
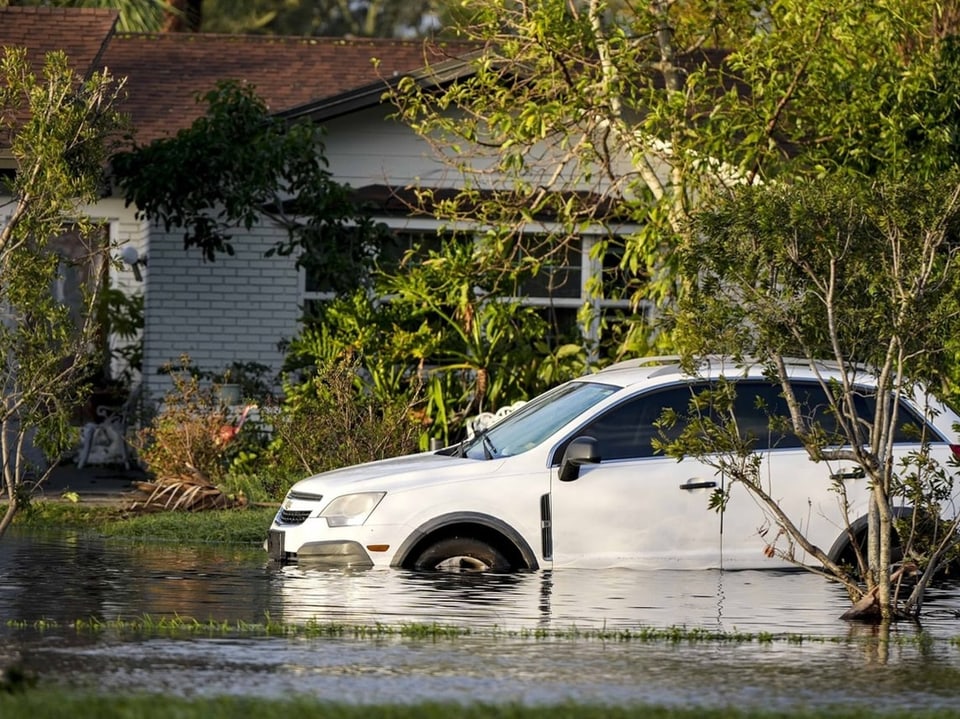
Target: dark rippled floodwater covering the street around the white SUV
<point>520,649</point>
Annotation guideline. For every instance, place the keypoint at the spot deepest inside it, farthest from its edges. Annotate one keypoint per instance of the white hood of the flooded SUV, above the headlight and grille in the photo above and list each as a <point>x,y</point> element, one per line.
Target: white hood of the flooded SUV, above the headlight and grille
<point>388,473</point>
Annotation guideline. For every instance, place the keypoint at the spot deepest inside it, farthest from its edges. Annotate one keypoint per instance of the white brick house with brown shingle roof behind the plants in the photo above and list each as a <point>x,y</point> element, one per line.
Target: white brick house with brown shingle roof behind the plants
<point>239,308</point>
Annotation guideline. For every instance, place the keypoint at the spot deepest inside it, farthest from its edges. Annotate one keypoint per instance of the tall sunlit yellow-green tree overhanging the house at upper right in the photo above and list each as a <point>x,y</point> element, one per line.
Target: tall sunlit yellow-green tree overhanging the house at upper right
<point>644,110</point>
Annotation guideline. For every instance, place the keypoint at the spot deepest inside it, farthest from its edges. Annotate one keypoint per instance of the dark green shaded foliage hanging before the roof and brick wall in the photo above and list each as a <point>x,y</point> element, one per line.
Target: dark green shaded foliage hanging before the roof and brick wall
<point>237,164</point>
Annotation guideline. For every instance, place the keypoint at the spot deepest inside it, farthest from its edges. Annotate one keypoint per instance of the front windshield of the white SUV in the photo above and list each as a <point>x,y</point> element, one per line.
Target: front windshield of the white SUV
<point>535,421</point>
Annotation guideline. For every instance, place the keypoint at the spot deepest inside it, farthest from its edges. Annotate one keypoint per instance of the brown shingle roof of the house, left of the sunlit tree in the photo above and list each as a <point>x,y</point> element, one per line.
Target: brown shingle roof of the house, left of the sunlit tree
<point>166,72</point>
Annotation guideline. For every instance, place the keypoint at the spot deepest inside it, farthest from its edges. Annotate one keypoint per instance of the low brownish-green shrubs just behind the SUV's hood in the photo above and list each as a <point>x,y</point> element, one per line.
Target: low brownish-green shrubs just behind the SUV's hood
<point>328,419</point>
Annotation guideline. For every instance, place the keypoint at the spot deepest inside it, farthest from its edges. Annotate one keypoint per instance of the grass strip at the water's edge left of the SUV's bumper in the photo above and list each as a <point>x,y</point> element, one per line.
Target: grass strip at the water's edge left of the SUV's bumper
<point>229,526</point>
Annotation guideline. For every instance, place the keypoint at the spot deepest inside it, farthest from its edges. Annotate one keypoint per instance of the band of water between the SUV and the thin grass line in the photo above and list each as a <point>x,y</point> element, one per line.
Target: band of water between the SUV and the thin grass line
<point>65,578</point>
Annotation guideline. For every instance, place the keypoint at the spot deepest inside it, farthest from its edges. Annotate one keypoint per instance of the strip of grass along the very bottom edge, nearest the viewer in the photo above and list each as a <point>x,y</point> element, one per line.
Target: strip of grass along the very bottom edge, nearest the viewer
<point>54,705</point>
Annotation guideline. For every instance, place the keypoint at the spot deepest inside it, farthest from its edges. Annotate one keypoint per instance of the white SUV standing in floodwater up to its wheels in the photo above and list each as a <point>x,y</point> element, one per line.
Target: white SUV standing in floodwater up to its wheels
<point>571,479</point>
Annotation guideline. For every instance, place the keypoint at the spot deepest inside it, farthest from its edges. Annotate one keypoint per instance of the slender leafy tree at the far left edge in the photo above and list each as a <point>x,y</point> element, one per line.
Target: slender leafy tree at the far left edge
<point>60,128</point>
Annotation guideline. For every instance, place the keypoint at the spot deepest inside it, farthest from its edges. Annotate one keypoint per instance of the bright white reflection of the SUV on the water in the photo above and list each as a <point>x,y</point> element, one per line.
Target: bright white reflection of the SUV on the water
<point>722,601</point>
